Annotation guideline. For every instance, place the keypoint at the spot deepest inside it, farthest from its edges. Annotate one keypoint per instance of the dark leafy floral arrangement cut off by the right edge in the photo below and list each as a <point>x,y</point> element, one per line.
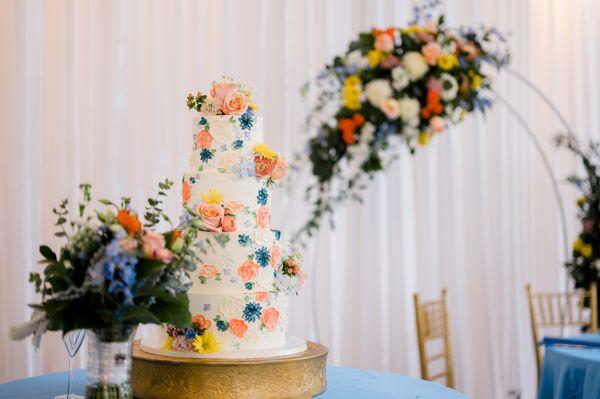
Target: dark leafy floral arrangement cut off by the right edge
<point>584,265</point>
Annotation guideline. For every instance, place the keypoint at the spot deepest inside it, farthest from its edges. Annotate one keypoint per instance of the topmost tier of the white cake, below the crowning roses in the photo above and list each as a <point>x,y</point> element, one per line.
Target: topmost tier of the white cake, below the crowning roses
<point>224,143</point>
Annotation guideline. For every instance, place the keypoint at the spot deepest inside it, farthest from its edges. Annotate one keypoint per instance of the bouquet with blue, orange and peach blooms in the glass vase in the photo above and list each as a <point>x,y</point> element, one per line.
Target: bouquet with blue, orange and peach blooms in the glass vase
<point>113,272</point>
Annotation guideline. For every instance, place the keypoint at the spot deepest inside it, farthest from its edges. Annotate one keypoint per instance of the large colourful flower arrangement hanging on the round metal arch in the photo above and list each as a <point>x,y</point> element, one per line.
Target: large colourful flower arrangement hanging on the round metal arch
<point>395,83</point>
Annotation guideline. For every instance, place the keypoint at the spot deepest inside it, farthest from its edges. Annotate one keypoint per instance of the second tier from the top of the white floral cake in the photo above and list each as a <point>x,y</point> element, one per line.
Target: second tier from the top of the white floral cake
<point>249,198</point>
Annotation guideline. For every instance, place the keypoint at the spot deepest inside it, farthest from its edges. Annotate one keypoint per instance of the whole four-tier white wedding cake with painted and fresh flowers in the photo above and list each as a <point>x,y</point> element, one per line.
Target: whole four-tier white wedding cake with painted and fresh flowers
<point>239,294</point>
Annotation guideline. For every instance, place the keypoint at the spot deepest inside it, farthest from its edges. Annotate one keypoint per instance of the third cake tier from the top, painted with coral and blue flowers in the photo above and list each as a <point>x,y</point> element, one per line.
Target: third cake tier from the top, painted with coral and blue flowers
<point>236,263</point>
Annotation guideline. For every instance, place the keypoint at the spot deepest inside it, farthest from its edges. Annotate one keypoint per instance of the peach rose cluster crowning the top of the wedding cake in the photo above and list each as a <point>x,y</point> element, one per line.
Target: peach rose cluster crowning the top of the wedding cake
<point>224,98</point>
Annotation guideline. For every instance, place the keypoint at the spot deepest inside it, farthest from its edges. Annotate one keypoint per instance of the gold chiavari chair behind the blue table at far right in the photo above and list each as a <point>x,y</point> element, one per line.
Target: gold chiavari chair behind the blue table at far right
<point>560,310</point>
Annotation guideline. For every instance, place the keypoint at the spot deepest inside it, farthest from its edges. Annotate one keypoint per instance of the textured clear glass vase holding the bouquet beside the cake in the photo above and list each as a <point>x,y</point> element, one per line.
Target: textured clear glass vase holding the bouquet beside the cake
<point>109,363</point>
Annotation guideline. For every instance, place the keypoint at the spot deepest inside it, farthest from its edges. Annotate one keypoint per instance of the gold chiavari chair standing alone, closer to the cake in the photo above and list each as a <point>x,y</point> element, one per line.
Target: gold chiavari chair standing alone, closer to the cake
<point>433,325</point>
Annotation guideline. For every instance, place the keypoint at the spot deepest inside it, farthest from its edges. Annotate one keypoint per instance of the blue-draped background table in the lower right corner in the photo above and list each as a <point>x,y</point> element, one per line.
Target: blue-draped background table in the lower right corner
<point>570,372</point>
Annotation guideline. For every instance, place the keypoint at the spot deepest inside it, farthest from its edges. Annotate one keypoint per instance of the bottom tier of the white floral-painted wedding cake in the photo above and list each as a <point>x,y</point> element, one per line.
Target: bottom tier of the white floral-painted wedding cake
<point>250,321</point>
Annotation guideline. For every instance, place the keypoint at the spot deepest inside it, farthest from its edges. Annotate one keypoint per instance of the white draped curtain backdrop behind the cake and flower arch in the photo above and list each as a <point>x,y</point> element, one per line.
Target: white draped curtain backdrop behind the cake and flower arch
<point>94,91</point>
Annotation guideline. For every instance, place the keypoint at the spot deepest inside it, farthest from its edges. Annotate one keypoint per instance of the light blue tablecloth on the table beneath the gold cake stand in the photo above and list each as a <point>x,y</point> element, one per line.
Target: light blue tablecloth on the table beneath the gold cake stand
<point>342,383</point>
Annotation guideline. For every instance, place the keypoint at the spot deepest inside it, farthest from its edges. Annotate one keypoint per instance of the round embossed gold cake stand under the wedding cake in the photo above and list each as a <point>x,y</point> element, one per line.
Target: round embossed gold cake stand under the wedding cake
<point>163,377</point>
